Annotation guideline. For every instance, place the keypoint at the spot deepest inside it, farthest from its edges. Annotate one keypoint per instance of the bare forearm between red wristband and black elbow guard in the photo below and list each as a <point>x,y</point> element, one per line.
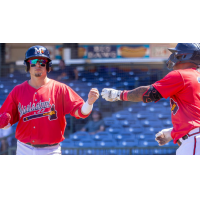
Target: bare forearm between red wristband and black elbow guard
<point>136,94</point>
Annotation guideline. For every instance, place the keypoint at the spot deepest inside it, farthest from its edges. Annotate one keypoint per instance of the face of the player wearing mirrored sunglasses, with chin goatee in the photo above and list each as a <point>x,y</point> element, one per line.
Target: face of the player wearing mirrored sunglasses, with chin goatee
<point>38,69</point>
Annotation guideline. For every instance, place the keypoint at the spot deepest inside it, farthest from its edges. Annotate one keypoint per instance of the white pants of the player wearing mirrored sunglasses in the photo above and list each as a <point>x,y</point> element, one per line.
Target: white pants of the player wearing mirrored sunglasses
<point>24,149</point>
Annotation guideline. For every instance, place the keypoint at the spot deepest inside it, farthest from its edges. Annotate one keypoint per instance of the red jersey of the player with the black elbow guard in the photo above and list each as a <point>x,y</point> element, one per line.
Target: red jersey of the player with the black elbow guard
<point>183,88</point>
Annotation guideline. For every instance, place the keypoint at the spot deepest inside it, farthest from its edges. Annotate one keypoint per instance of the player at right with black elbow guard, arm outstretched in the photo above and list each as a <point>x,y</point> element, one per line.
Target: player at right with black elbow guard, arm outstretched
<point>182,85</point>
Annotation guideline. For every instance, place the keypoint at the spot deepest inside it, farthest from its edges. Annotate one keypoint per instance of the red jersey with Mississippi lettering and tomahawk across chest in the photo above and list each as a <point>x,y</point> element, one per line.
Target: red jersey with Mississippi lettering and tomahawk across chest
<point>40,113</point>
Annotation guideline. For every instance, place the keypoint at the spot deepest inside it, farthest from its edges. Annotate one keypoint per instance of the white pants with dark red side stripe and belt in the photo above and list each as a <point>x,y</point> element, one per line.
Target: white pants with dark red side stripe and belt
<point>190,146</point>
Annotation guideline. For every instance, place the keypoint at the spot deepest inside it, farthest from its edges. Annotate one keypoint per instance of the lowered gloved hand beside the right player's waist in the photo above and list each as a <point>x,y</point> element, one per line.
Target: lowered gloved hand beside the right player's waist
<point>164,136</point>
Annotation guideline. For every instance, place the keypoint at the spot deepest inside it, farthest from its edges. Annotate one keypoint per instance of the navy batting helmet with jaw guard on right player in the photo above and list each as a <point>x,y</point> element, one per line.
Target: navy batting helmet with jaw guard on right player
<point>183,53</point>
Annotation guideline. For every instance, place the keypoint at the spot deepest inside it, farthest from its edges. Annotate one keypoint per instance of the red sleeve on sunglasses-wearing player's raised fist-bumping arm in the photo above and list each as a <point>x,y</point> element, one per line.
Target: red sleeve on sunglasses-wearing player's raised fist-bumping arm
<point>71,101</point>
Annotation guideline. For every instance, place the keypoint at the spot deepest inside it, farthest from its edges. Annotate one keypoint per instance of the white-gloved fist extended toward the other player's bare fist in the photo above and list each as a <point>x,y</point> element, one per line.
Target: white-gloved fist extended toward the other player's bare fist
<point>110,94</point>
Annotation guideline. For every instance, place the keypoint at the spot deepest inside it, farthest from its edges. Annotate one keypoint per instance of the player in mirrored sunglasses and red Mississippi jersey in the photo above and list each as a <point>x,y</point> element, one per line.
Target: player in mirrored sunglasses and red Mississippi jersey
<point>40,105</point>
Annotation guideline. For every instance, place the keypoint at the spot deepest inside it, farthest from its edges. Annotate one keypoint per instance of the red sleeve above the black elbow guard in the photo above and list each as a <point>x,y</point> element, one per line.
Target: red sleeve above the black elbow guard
<point>171,84</point>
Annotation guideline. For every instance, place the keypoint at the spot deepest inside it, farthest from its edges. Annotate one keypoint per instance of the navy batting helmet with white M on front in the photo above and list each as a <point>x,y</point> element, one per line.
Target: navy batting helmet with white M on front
<point>37,51</point>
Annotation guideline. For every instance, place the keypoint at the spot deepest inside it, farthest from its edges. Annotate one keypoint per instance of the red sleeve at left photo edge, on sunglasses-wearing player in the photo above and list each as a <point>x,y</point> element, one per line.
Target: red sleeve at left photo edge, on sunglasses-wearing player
<point>10,106</point>
